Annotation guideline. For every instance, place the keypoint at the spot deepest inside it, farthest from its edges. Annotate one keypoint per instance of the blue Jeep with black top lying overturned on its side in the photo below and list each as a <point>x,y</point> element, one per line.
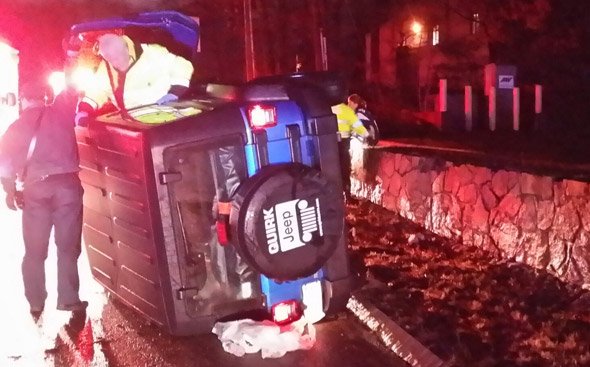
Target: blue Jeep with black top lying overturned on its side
<point>226,202</point>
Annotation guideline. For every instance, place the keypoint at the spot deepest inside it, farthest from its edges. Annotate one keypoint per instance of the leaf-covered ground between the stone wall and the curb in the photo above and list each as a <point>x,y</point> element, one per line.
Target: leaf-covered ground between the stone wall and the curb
<point>463,304</point>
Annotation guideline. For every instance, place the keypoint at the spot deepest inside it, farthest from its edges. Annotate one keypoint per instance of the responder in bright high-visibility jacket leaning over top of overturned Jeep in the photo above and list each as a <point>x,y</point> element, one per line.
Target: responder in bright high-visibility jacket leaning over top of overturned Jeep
<point>132,75</point>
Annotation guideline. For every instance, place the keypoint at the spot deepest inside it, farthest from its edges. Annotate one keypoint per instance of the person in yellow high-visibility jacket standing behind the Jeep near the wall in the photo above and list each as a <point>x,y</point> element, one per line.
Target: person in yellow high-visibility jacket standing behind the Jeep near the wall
<point>348,125</point>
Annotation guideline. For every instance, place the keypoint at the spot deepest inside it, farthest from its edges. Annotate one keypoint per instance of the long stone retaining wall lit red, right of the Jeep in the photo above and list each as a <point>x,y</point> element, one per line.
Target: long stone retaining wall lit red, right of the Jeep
<point>537,220</point>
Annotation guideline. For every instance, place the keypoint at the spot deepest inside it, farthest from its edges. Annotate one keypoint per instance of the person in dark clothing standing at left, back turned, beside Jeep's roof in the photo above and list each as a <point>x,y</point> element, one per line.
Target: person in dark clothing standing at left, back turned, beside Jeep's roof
<point>39,149</point>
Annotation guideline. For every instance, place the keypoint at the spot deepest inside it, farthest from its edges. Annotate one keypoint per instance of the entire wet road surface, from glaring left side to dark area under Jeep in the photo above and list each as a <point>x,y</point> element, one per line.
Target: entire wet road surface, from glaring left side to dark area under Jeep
<point>113,335</point>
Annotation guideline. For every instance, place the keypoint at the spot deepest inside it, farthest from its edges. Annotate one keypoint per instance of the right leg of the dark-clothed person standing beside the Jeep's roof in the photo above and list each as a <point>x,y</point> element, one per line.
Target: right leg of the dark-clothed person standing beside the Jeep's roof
<point>67,221</point>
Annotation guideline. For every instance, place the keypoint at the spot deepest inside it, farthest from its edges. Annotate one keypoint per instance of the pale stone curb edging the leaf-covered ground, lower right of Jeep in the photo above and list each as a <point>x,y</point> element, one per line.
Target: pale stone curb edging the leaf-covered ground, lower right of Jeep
<point>393,336</point>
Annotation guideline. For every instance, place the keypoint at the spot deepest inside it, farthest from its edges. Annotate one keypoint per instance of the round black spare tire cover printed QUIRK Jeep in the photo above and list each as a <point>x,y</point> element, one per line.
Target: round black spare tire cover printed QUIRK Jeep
<point>287,220</point>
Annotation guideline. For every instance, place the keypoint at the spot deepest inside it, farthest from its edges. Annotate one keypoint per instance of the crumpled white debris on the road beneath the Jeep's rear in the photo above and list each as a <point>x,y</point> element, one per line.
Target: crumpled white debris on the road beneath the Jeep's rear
<point>247,336</point>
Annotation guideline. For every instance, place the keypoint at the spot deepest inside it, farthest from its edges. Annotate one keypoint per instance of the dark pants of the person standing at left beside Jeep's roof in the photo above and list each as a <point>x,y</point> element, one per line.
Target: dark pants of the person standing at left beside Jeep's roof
<point>55,202</point>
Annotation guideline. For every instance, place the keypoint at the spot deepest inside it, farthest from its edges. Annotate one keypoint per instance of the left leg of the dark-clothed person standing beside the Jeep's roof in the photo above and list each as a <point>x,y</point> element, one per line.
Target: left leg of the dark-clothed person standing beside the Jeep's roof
<point>36,222</point>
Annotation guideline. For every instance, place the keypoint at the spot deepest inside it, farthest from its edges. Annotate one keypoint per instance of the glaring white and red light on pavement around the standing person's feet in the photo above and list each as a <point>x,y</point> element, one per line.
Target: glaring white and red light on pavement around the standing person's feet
<point>54,337</point>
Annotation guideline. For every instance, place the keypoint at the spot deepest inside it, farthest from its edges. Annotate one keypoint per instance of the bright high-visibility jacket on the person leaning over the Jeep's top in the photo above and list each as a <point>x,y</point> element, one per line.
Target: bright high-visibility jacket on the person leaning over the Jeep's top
<point>148,79</point>
